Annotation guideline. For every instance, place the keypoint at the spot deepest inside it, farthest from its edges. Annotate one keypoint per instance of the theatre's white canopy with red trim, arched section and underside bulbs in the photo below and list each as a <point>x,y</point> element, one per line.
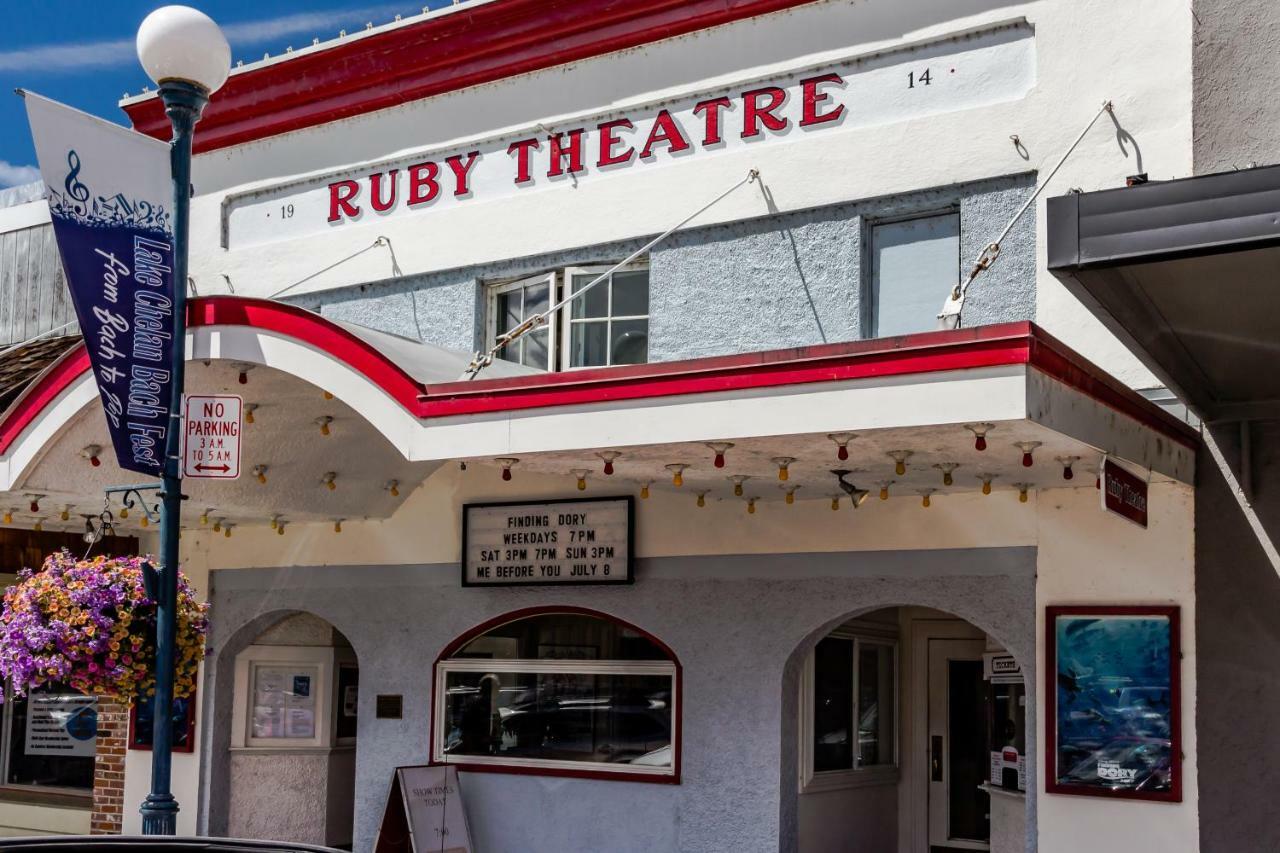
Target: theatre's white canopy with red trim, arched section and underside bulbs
<point>1048,416</point>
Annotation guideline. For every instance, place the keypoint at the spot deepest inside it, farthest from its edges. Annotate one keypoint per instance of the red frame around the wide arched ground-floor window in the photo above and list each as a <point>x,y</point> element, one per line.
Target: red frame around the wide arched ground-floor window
<point>520,770</point>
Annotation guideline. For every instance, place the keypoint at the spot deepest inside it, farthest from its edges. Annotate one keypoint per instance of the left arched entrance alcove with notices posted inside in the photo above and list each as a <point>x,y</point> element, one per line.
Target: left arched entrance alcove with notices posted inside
<point>286,752</point>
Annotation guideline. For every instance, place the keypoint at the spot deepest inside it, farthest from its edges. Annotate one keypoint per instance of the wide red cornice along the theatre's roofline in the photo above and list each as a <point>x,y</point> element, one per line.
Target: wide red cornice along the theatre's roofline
<point>473,45</point>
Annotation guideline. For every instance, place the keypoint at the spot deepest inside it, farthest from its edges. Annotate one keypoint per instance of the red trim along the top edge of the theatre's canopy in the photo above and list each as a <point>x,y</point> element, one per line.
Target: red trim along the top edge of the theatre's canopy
<point>990,346</point>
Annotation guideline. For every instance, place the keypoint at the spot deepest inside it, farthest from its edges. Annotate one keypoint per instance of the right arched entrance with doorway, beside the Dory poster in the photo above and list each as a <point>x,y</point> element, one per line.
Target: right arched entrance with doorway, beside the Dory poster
<point>915,733</point>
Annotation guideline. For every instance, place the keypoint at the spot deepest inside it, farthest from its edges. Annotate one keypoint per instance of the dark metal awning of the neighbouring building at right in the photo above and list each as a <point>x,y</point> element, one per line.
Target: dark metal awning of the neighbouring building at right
<point>1187,273</point>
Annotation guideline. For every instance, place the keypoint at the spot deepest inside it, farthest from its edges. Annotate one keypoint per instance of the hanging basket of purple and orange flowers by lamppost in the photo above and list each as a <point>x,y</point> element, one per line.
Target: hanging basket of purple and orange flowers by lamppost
<point>90,626</point>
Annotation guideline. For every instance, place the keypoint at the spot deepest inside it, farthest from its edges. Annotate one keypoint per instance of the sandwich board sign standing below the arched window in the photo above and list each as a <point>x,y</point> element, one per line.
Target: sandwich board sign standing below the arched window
<point>424,814</point>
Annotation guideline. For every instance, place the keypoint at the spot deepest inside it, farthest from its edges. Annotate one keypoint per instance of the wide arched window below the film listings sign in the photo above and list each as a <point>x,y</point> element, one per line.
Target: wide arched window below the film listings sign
<point>564,691</point>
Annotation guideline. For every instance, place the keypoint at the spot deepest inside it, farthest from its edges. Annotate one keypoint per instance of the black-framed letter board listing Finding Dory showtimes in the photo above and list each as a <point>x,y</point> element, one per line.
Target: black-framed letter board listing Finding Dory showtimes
<point>587,541</point>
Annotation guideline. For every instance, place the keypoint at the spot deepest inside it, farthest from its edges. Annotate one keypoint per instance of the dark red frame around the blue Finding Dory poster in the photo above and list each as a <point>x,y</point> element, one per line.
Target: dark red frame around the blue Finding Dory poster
<point>1176,697</point>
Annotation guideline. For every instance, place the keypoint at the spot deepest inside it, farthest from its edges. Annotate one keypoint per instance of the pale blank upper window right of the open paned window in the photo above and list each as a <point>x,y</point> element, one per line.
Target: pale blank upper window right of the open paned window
<point>915,266</point>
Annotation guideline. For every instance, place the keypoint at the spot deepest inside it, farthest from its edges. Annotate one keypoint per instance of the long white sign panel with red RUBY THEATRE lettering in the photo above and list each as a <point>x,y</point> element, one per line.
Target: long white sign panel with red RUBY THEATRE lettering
<point>985,67</point>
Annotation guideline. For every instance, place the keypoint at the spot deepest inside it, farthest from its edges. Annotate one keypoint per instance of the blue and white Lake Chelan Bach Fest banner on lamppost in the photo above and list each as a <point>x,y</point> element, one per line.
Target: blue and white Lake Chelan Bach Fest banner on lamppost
<point>111,200</point>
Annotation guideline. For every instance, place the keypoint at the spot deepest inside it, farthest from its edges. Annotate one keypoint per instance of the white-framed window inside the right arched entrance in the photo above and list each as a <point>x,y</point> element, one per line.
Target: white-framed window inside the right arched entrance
<point>849,699</point>
